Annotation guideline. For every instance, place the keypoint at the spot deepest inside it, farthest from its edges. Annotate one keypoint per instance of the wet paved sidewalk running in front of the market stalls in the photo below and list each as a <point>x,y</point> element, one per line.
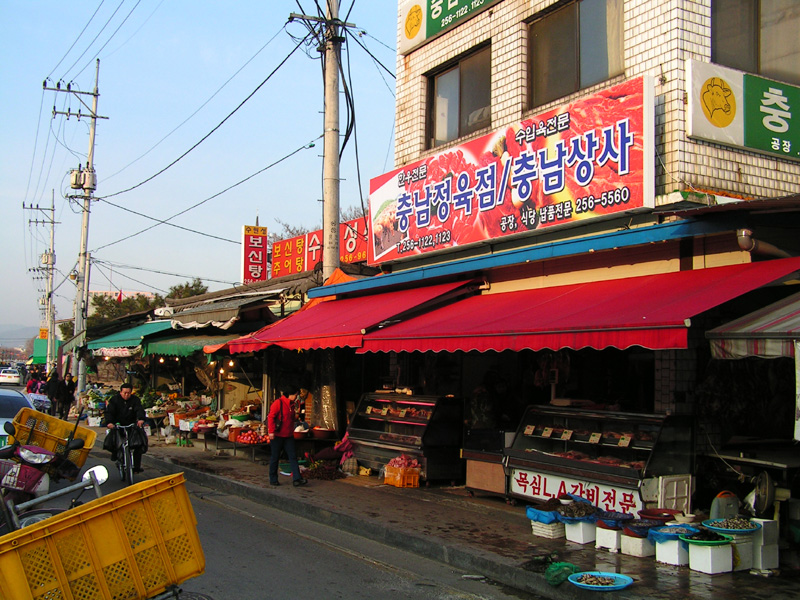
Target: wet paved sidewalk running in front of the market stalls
<point>481,535</point>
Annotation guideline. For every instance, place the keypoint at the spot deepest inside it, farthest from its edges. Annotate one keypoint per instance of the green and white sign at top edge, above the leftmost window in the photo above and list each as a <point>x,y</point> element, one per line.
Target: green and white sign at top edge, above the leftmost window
<point>423,20</point>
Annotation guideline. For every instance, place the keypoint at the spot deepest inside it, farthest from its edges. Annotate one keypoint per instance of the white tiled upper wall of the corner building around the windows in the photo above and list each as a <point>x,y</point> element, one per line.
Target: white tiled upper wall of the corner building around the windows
<point>659,36</point>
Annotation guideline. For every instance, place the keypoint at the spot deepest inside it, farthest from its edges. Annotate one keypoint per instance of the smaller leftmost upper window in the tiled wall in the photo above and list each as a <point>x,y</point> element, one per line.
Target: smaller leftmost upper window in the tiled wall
<point>461,99</point>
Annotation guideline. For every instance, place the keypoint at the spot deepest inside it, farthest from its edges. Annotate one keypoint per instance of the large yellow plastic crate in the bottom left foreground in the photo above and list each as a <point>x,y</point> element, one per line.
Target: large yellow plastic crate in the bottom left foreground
<point>132,544</point>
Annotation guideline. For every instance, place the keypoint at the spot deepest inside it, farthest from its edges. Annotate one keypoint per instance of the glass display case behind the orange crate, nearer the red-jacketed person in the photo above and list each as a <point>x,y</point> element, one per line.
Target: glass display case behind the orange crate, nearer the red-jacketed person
<point>428,428</point>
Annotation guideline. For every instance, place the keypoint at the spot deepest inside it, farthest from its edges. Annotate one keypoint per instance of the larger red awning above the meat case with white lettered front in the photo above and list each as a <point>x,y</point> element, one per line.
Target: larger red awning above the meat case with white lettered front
<point>652,311</point>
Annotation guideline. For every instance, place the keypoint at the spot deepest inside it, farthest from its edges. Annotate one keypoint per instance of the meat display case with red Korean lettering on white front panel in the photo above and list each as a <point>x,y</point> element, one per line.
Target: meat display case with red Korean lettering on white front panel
<point>620,461</point>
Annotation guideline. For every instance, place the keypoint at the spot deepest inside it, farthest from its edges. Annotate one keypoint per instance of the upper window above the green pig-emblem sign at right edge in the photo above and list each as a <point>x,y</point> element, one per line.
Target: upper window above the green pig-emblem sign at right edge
<point>757,36</point>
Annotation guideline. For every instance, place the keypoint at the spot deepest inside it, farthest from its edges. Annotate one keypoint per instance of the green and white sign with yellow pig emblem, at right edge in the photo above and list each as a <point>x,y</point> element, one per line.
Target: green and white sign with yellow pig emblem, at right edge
<point>742,110</point>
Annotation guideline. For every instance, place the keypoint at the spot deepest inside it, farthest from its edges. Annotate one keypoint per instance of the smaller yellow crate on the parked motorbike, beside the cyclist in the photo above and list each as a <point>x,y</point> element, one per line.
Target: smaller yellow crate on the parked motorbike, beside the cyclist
<point>51,433</point>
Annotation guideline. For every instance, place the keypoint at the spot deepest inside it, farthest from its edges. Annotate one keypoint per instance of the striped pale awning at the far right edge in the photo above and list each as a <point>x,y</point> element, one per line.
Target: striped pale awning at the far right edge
<point>770,332</point>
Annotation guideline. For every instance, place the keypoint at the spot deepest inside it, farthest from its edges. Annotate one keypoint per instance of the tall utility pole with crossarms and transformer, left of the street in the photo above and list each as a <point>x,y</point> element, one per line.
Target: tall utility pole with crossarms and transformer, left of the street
<point>85,180</point>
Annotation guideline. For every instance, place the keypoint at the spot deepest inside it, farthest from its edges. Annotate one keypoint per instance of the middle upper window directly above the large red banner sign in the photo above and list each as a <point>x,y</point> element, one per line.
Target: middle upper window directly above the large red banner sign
<point>574,47</point>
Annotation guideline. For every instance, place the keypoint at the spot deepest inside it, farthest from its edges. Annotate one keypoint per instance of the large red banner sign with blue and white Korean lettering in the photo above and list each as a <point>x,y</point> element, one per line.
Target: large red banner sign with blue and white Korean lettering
<point>588,159</point>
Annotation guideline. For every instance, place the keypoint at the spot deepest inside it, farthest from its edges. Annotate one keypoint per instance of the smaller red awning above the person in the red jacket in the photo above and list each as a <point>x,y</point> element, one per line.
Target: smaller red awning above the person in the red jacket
<point>339,323</point>
